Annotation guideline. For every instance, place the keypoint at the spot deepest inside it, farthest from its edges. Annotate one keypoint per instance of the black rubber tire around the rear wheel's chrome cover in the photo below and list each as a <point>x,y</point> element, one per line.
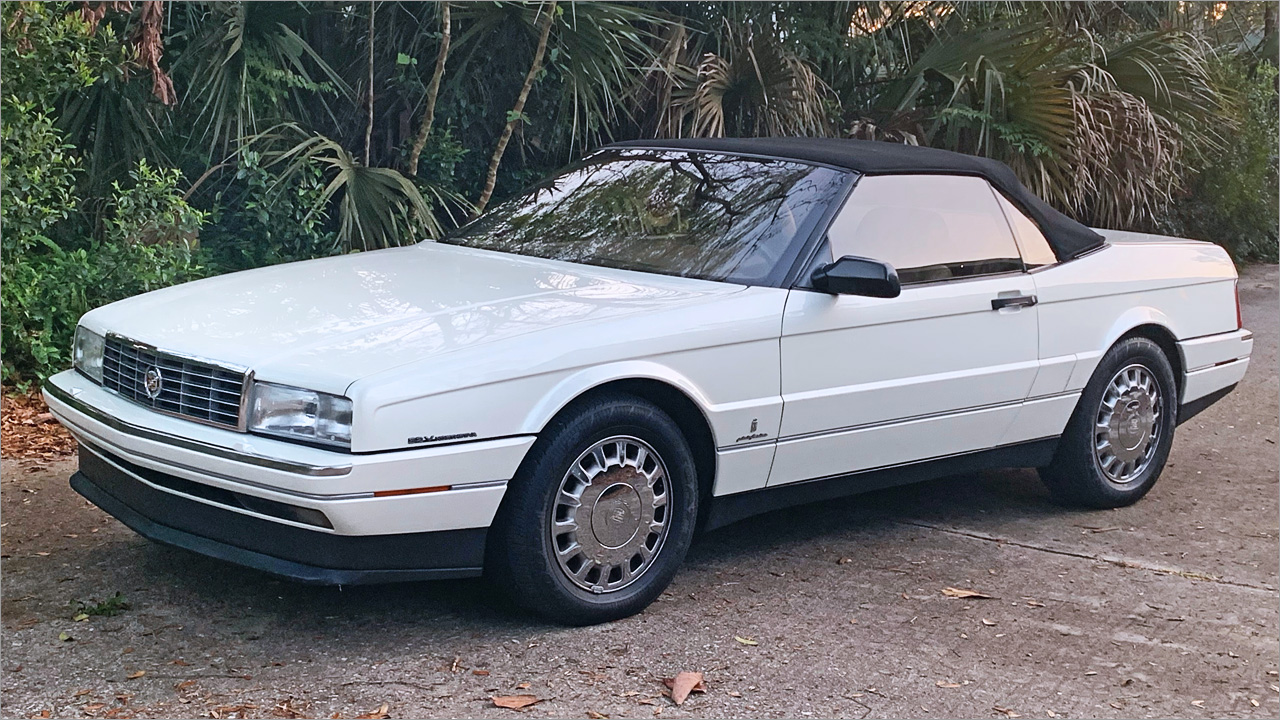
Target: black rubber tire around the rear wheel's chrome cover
<point>1077,476</point>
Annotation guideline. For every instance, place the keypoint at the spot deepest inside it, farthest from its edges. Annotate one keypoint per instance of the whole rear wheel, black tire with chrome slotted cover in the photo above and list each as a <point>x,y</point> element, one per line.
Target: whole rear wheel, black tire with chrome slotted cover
<point>1119,438</point>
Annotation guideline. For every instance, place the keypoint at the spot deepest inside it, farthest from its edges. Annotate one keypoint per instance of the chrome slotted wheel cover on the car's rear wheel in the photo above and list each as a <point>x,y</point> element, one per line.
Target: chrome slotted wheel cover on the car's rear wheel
<point>1128,425</point>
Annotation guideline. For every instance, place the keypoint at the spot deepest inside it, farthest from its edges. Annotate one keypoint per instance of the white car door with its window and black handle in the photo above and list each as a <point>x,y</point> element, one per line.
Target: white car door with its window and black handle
<point>943,370</point>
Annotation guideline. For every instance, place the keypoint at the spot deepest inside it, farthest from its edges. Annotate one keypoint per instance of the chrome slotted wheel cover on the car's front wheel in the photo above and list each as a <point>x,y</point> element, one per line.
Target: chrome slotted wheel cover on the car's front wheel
<point>610,517</point>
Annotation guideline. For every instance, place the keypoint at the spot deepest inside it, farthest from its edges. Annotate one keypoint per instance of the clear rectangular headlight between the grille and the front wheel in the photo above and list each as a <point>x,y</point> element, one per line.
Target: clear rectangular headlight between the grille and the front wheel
<point>301,414</point>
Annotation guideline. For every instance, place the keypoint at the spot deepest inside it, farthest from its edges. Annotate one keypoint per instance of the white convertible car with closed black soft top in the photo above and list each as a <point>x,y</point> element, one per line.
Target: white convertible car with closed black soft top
<point>668,336</point>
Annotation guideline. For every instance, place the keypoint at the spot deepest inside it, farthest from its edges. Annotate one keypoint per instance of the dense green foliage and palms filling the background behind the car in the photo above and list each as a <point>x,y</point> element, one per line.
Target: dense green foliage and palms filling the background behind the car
<point>147,144</point>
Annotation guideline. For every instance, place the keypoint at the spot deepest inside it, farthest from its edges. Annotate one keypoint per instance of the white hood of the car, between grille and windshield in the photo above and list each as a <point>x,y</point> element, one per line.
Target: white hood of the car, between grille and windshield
<point>327,323</point>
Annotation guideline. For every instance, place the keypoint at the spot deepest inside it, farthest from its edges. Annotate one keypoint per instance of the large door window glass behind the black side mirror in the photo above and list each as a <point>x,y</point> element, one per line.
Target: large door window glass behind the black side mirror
<point>929,227</point>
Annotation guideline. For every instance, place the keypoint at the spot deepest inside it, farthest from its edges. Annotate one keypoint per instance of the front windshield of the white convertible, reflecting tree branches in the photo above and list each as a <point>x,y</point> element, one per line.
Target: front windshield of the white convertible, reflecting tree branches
<point>676,213</point>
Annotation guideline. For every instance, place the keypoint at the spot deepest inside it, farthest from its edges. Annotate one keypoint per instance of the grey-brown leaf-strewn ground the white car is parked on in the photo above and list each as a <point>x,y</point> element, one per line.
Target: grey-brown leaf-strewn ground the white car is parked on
<point>1164,609</point>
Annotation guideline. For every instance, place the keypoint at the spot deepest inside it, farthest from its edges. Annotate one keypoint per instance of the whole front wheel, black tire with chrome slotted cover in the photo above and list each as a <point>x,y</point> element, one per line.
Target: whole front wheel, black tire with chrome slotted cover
<point>601,514</point>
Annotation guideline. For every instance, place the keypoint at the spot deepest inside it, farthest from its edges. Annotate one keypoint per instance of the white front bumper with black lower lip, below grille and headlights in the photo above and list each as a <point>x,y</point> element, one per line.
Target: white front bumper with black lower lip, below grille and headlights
<point>301,512</point>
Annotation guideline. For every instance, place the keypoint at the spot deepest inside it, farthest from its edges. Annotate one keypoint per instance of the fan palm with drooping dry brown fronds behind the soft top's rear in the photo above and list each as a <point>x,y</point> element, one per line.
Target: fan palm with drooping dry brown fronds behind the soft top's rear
<point>1099,131</point>
